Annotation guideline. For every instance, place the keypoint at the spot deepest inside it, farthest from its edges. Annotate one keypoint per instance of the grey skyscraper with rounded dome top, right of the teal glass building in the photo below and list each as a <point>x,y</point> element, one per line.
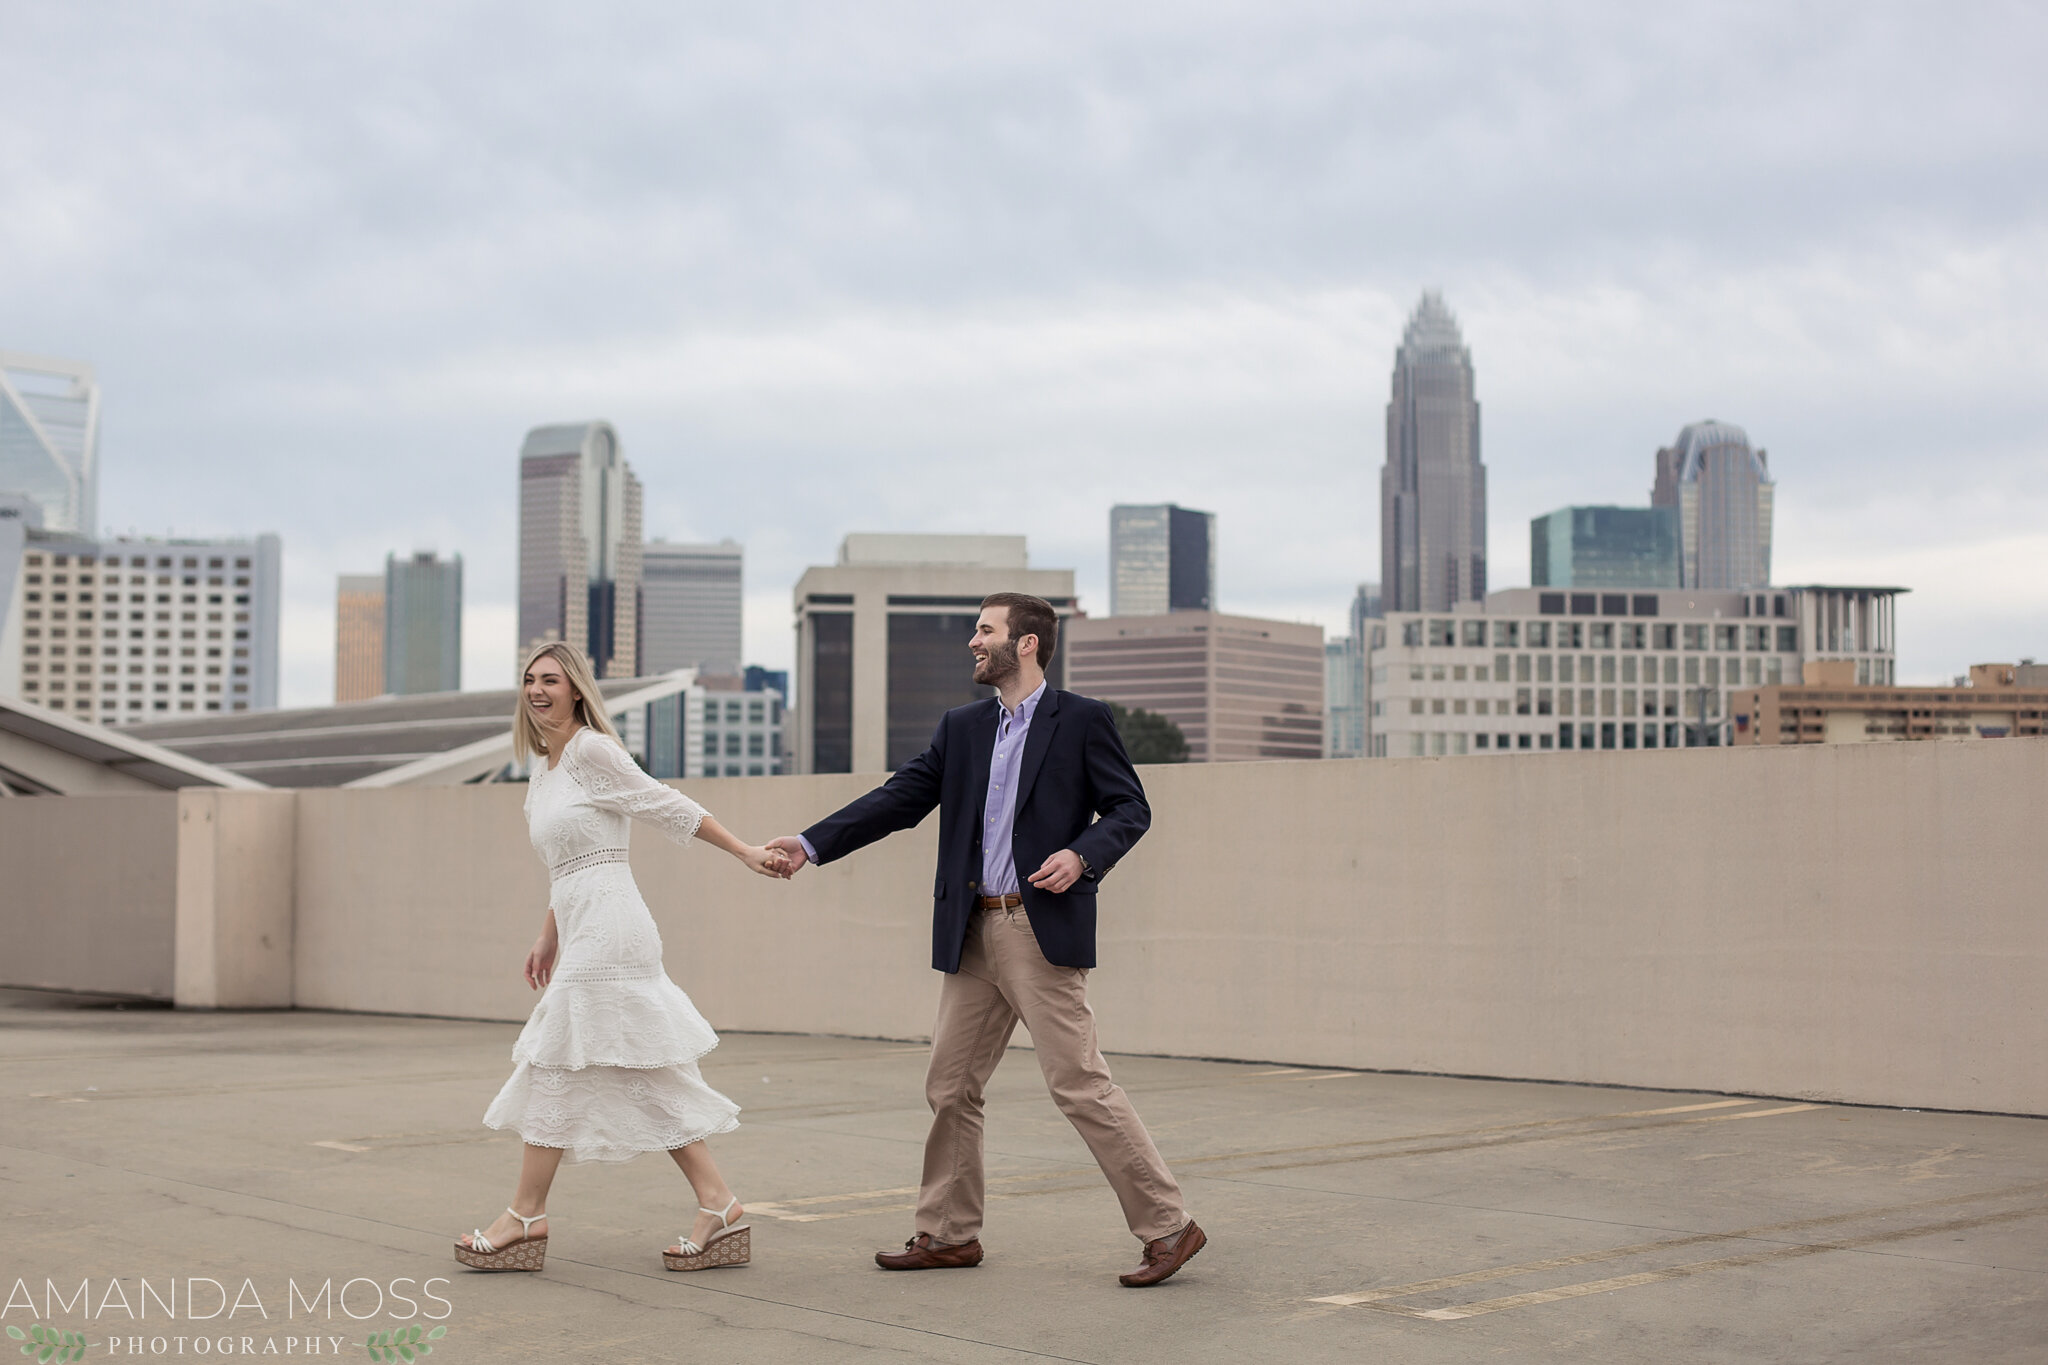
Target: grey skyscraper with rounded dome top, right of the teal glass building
<point>1721,490</point>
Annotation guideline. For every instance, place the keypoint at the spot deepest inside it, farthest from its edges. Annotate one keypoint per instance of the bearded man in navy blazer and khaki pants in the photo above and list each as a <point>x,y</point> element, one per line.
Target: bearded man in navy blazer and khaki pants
<point>1027,779</point>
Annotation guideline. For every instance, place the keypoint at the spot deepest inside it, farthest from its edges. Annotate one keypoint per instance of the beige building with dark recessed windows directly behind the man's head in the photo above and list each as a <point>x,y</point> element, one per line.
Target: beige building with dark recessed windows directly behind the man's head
<point>882,642</point>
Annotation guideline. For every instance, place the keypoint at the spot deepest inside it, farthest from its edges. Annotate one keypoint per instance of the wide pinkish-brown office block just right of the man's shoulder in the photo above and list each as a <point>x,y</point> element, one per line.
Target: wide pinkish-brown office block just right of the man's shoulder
<point>1238,687</point>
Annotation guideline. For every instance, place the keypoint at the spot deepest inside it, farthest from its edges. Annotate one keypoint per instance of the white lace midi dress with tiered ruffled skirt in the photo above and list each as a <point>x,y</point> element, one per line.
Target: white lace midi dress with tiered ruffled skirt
<point>607,1063</point>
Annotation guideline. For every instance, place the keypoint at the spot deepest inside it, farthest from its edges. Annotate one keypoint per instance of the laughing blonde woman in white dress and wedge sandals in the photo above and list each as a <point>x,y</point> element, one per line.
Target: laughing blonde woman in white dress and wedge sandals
<point>607,1065</point>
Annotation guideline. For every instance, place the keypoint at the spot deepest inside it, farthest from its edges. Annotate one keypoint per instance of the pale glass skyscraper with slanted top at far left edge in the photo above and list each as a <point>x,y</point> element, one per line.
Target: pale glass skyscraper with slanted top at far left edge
<point>50,439</point>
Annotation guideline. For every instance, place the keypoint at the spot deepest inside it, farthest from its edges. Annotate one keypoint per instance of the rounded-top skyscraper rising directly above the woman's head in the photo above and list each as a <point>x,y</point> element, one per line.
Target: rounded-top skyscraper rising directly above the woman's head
<point>581,545</point>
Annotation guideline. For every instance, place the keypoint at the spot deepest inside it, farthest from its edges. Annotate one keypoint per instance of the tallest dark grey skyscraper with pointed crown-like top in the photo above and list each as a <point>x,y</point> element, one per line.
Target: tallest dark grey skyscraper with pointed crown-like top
<point>1435,486</point>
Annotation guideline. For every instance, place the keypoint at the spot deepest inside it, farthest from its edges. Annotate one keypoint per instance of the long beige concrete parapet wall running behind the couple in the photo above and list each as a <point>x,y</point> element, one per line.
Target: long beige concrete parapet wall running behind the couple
<point>1861,924</point>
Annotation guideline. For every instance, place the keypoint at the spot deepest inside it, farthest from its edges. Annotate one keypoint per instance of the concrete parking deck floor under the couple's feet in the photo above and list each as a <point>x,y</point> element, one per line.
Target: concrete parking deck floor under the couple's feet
<point>1353,1217</point>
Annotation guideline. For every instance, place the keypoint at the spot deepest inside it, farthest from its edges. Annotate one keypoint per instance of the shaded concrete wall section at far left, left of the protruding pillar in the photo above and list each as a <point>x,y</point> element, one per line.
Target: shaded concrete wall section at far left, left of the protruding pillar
<point>89,893</point>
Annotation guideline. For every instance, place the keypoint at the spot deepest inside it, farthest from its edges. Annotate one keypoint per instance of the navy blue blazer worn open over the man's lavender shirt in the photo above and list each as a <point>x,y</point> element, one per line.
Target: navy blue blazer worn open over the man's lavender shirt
<point>1076,791</point>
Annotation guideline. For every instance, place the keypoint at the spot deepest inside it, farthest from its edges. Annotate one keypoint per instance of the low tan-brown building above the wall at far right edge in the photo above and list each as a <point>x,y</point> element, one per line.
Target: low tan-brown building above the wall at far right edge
<point>1830,709</point>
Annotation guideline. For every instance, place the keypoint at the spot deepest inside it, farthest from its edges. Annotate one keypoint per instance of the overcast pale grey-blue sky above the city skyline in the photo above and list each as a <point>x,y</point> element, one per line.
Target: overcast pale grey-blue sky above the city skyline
<point>937,267</point>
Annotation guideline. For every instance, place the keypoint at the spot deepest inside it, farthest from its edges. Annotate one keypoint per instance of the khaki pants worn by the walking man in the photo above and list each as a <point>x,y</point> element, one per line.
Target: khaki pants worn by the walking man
<point>1002,979</point>
